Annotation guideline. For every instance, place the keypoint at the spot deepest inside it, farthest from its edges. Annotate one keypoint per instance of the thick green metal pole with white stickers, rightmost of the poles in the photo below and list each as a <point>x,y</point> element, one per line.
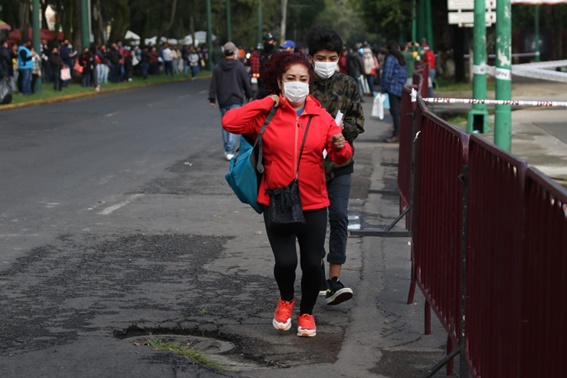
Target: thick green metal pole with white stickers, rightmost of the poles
<point>503,75</point>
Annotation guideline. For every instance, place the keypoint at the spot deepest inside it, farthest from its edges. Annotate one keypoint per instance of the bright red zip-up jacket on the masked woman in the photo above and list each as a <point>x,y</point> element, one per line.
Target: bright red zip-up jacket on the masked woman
<point>278,146</point>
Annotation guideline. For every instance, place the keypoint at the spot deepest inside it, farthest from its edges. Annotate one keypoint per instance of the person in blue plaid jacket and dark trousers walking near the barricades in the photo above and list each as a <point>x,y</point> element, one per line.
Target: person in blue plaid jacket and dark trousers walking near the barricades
<point>394,77</point>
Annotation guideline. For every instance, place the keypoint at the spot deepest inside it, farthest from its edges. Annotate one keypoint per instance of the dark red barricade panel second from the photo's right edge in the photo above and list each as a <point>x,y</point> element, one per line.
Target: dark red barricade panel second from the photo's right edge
<point>493,260</point>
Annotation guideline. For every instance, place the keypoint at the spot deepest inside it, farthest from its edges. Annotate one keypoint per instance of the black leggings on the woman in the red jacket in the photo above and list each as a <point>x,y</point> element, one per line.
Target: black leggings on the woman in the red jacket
<point>311,241</point>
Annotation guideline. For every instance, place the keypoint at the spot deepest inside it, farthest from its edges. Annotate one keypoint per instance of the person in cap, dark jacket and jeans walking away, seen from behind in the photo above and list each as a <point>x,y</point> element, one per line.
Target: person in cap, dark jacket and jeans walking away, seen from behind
<point>230,87</point>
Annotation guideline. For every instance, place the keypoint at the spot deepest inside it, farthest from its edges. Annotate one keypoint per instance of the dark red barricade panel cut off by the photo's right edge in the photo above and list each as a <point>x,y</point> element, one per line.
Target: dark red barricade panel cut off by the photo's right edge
<point>544,283</point>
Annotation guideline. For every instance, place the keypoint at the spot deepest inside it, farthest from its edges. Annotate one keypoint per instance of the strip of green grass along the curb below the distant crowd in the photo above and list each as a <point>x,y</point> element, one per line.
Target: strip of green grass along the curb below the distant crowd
<point>76,89</point>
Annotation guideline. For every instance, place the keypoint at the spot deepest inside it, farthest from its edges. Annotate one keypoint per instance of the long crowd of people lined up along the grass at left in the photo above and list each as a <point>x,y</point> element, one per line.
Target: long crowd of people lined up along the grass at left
<point>59,63</point>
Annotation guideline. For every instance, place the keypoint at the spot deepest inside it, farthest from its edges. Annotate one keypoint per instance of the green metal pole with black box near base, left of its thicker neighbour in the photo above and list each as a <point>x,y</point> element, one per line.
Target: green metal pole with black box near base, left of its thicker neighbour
<point>478,116</point>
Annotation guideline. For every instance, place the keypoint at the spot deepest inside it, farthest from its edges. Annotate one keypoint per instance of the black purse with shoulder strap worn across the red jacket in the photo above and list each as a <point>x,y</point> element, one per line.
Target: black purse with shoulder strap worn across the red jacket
<point>285,212</point>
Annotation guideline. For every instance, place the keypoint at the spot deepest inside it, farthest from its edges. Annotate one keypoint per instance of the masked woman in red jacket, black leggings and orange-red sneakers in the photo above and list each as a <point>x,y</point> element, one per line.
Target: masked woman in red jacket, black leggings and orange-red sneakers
<point>287,78</point>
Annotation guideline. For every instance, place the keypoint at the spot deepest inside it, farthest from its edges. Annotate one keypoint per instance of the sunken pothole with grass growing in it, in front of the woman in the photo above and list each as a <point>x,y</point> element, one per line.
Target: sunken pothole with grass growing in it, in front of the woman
<point>208,351</point>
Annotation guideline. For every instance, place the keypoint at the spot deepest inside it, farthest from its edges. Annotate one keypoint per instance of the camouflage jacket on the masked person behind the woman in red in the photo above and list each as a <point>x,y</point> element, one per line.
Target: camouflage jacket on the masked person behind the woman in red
<point>340,92</point>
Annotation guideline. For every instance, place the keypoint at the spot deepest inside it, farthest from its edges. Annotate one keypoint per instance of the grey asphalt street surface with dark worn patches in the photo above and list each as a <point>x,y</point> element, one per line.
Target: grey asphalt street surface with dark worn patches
<point>117,227</point>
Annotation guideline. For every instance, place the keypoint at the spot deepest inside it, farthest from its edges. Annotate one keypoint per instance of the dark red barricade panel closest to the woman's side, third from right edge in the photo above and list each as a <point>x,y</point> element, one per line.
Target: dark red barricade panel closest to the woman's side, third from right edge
<point>441,151</point>
